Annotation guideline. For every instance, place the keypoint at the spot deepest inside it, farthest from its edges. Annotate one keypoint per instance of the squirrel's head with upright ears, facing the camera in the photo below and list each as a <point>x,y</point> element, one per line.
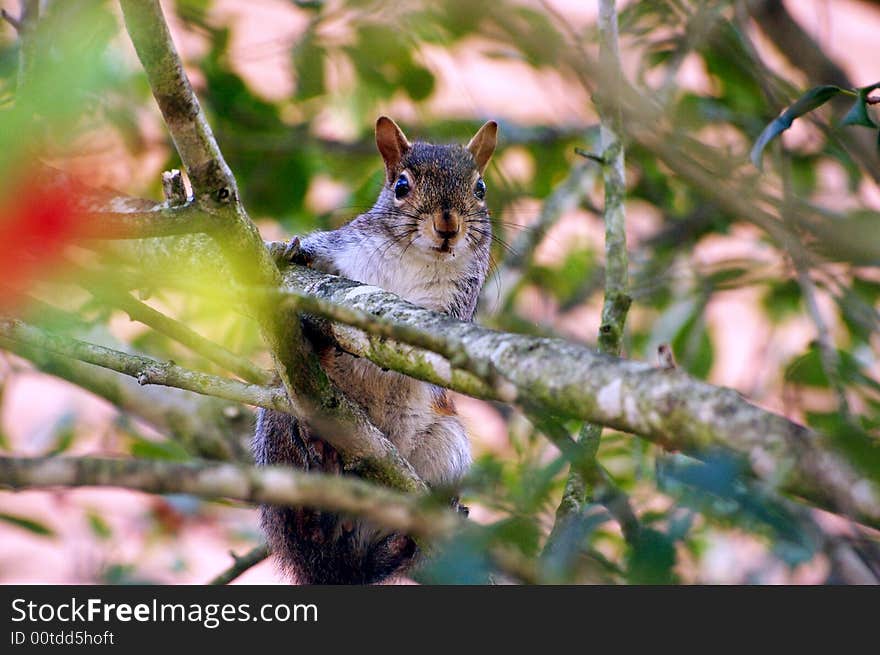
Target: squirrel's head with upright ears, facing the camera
<point>435,194</point>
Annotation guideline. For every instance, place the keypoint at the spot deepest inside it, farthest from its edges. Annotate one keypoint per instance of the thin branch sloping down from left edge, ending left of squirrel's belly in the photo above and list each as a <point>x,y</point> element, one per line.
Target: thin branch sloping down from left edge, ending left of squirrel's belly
<point>145,369</point>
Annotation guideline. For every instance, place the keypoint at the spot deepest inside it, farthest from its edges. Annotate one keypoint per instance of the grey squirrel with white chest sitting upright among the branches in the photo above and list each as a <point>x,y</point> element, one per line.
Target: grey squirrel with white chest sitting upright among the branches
<point>427,239</point>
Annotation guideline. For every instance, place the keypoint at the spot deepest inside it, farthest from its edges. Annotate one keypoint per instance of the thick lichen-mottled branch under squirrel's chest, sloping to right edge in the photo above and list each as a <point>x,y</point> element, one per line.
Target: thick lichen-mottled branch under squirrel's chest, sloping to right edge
<point>565,379</point>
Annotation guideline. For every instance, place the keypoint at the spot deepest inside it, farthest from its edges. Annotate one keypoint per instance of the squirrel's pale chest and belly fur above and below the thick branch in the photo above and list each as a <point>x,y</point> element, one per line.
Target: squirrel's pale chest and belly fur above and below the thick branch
<point>417,417</point>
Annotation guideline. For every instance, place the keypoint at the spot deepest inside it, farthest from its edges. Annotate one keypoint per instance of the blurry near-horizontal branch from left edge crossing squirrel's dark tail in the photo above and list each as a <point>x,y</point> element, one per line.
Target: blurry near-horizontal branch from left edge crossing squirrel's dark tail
<point>273,485</point>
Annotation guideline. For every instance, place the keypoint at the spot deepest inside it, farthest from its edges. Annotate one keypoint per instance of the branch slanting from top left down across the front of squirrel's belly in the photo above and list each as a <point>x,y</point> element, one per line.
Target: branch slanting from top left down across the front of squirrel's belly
<point>313,397</point>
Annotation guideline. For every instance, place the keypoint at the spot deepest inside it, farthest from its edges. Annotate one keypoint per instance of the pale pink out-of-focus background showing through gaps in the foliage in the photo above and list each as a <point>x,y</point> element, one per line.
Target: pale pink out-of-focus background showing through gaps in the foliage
<point>166,540</point>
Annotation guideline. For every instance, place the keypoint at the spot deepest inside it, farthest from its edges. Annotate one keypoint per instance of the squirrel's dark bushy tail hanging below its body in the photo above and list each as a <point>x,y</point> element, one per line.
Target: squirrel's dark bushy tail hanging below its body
<point>315,547</point>
